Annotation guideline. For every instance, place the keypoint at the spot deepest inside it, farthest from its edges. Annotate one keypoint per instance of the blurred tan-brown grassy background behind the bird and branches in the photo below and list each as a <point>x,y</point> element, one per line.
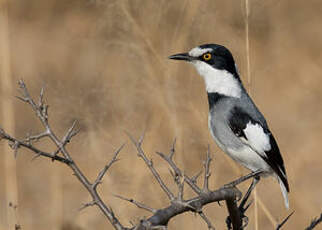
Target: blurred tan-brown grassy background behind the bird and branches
<point>105,64</point>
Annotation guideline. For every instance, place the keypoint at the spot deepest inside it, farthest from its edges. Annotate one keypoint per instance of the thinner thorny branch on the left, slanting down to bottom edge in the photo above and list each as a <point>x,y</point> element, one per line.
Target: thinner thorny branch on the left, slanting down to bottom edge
<point>41,110</point>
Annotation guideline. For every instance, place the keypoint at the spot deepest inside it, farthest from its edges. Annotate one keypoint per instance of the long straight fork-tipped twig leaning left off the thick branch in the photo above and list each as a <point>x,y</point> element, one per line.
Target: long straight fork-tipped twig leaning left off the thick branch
<point>149,163</point>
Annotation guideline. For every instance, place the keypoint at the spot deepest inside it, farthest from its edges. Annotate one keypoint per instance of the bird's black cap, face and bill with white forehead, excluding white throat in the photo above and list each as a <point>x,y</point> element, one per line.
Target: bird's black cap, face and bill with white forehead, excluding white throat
<point>217,56</point>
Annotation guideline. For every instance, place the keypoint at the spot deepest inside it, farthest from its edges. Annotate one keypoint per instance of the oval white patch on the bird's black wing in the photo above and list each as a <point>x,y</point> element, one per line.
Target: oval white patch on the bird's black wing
<point>257,138</point>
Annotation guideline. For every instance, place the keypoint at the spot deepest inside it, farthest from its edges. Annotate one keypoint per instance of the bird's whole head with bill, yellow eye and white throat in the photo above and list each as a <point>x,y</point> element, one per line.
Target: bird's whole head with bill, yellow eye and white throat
<point>216,65</point>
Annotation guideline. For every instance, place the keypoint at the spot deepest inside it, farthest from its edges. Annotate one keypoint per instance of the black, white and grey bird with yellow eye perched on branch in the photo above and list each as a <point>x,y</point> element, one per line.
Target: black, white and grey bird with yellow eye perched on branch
<point>234,121</point>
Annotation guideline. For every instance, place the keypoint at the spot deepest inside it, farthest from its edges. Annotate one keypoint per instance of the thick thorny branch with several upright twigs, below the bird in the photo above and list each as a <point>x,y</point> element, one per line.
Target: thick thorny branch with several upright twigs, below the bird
<point>177,204</point>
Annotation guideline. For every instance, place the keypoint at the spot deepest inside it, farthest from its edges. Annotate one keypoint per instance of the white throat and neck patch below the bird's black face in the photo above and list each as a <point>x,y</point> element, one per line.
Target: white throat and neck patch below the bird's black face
<point>218,81</point>
